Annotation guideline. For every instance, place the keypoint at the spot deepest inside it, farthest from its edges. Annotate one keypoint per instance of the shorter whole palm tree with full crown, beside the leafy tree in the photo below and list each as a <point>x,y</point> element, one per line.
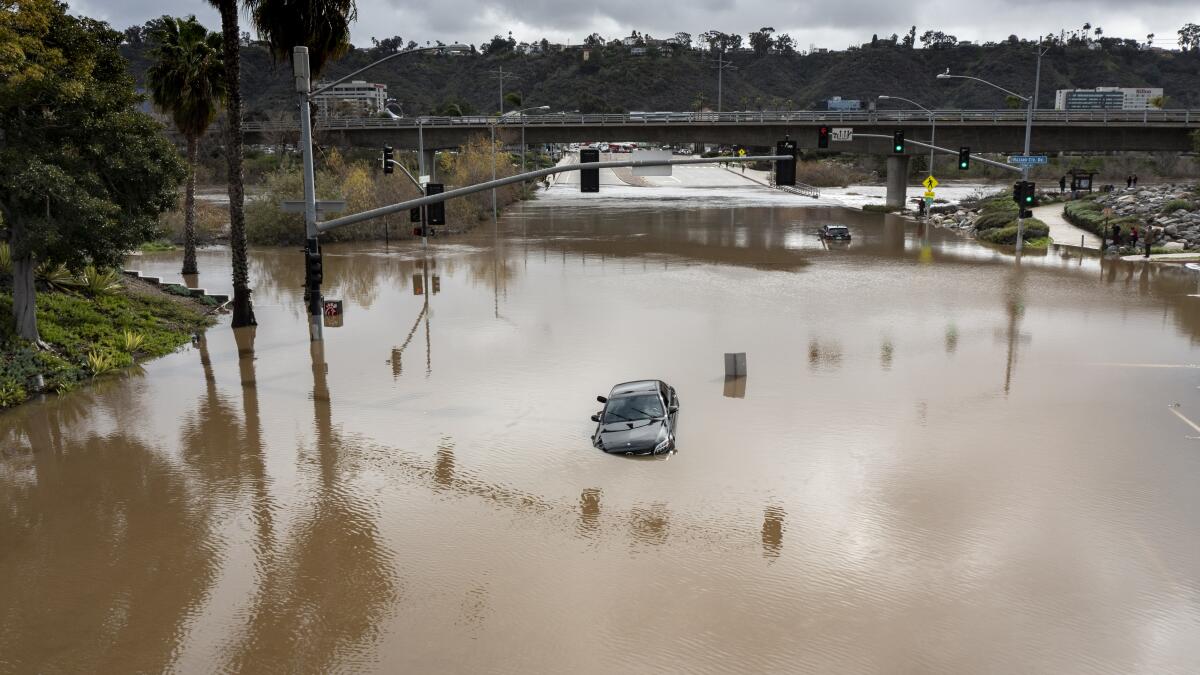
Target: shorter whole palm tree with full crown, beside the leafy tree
<point>188,80</point>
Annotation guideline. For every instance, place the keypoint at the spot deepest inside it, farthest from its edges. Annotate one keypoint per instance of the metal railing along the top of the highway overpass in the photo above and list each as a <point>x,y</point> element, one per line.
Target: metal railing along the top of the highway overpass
<point>1186,118</point>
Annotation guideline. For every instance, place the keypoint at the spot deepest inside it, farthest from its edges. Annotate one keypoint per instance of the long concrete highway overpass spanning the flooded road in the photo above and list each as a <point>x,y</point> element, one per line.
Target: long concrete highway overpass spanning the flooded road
<point>983,132</point>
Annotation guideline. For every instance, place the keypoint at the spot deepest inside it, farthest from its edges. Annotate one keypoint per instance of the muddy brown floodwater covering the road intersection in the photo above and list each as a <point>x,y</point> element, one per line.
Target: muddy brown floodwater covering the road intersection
<point>940,462</point>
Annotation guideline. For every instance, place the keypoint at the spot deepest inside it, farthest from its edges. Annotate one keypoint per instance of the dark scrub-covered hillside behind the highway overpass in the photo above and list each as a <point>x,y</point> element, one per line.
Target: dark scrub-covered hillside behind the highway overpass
<point>615,81</point>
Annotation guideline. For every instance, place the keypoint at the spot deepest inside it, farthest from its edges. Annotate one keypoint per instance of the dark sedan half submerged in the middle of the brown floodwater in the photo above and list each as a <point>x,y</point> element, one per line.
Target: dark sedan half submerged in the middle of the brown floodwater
<point>639,419</point>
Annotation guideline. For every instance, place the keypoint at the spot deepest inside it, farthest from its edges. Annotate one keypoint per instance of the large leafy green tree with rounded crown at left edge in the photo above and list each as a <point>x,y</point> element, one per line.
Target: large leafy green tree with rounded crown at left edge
<point>83,175</point>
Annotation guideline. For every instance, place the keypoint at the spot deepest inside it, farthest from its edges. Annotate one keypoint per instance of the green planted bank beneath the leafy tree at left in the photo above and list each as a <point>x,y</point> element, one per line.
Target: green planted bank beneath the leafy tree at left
<point>91,337</point>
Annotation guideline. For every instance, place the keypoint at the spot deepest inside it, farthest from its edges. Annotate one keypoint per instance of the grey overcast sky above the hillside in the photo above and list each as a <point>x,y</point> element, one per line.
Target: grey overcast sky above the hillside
<point>833,25</point>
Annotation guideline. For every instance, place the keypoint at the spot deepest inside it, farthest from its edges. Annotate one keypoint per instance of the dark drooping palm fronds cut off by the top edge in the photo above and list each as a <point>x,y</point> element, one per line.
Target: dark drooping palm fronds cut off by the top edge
<point>321,26</point>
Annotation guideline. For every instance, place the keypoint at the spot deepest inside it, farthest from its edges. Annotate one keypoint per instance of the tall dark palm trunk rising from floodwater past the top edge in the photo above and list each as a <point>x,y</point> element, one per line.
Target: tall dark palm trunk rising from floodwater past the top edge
<point>243,309</point>
